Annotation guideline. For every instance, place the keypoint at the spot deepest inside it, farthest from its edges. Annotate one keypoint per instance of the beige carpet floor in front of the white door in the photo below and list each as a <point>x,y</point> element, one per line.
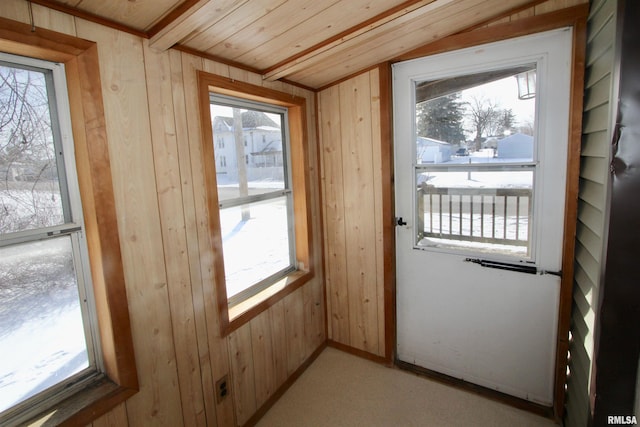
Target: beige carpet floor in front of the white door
<point>340,389</point>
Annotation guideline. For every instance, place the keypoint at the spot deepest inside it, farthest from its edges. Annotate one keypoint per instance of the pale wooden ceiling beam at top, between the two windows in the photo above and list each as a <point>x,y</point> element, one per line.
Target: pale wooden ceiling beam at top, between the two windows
<point>199,16</point>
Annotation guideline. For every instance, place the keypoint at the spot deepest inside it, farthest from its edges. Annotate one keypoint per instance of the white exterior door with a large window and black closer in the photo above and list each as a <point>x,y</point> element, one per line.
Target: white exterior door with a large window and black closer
<point>480,184</point>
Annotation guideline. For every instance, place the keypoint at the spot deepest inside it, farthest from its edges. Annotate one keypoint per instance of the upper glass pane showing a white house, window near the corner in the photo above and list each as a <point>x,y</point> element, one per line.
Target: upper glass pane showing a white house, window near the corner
<point>248,151</point>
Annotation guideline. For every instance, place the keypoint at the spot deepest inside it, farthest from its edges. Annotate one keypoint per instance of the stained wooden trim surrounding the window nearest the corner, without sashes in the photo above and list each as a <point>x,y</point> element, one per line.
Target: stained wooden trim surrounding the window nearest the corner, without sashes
<point>232,318</point>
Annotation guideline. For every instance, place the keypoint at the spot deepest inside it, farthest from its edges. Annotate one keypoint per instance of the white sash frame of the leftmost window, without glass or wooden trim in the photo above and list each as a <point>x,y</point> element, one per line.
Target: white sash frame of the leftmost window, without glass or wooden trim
<point>71,227</point>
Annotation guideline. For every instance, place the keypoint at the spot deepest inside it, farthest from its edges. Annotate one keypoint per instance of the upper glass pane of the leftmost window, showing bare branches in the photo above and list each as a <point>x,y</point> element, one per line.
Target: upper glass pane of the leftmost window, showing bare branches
<point>30,195</point>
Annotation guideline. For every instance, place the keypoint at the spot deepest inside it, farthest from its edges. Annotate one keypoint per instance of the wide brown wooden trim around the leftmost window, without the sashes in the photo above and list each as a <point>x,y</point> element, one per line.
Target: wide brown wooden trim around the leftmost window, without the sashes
<point>80,58</point>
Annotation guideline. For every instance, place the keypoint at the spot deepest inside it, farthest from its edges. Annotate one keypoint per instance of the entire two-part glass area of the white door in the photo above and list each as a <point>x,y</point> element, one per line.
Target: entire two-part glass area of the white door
<point>475,169</point>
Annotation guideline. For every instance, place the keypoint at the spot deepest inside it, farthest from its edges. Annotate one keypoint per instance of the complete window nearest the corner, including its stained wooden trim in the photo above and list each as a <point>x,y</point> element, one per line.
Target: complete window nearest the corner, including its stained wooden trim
<point>258,208</point>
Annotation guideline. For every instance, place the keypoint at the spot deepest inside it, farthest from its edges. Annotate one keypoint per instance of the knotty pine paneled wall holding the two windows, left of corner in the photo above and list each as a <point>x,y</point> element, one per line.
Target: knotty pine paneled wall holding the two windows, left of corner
<point>152,120</point>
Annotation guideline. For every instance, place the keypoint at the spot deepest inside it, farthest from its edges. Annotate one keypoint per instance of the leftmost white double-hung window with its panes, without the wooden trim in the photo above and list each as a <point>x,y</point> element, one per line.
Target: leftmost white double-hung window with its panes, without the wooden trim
<point>49,348</point>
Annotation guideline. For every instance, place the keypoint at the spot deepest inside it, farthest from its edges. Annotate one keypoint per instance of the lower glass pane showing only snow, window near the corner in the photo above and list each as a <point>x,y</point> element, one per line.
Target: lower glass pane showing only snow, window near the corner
<point>255,239</point>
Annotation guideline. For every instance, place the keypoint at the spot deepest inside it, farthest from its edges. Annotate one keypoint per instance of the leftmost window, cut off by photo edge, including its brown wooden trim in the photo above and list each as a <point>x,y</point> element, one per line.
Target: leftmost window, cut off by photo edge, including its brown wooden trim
<point>41,158</point>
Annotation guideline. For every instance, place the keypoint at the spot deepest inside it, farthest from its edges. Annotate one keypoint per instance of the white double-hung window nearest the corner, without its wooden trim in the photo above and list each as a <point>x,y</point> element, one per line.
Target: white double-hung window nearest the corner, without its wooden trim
<point>254,194</point>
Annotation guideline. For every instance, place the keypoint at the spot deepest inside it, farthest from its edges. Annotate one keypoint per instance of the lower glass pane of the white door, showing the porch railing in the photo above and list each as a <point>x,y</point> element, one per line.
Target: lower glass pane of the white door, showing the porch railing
<point>481,211</point>
